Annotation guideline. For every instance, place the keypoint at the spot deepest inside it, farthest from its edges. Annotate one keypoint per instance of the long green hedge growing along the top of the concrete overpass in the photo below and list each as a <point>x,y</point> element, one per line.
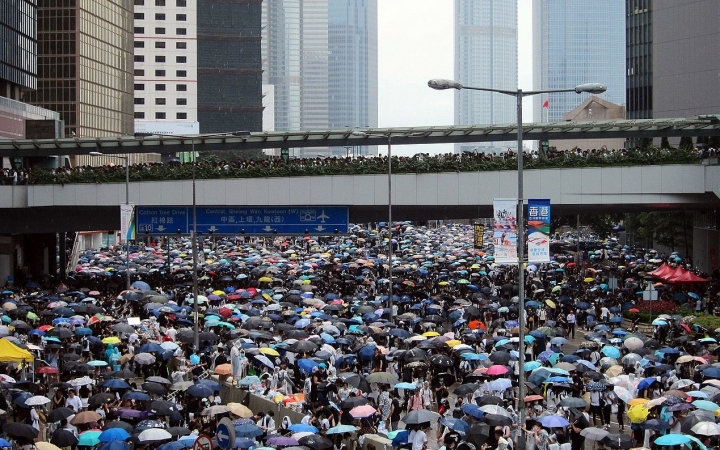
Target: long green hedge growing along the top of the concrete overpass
<point>466,162</point>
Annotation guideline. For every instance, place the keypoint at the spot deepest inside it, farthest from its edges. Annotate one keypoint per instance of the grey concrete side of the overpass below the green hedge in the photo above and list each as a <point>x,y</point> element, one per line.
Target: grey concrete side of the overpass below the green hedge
<point>72,207</point>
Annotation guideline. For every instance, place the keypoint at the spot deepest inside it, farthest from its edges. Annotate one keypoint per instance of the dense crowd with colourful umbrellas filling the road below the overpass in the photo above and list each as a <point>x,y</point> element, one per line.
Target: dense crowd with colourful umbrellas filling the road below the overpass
<point>423,349</point>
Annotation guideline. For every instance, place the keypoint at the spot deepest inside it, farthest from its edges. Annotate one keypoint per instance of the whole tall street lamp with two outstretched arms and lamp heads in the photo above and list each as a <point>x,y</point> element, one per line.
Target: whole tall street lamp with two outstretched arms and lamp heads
<point>519,94</point>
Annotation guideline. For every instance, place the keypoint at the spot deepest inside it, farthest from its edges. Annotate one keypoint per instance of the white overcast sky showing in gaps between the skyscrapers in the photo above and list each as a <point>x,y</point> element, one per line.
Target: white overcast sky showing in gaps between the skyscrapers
<point>416,44</point>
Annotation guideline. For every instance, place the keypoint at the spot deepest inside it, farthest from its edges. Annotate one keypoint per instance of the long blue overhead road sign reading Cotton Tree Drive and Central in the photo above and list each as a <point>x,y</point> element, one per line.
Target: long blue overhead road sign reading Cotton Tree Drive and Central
<point>237,220</point>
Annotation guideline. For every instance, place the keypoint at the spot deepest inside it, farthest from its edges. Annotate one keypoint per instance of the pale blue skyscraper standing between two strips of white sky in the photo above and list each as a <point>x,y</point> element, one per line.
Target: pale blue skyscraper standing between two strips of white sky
<point>485,56</point>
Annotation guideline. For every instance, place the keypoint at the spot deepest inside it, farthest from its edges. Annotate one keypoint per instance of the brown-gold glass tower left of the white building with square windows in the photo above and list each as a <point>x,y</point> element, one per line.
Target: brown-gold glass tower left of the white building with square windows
<point>85,67</point>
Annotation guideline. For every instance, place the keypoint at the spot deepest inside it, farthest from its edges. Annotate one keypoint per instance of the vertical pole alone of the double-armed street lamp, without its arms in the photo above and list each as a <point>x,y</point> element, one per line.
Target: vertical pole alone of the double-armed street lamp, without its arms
<point>521,277</point>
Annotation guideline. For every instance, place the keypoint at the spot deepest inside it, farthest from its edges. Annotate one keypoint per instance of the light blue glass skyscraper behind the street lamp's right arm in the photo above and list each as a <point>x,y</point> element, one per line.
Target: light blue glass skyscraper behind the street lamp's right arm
<point>575,42</point>
